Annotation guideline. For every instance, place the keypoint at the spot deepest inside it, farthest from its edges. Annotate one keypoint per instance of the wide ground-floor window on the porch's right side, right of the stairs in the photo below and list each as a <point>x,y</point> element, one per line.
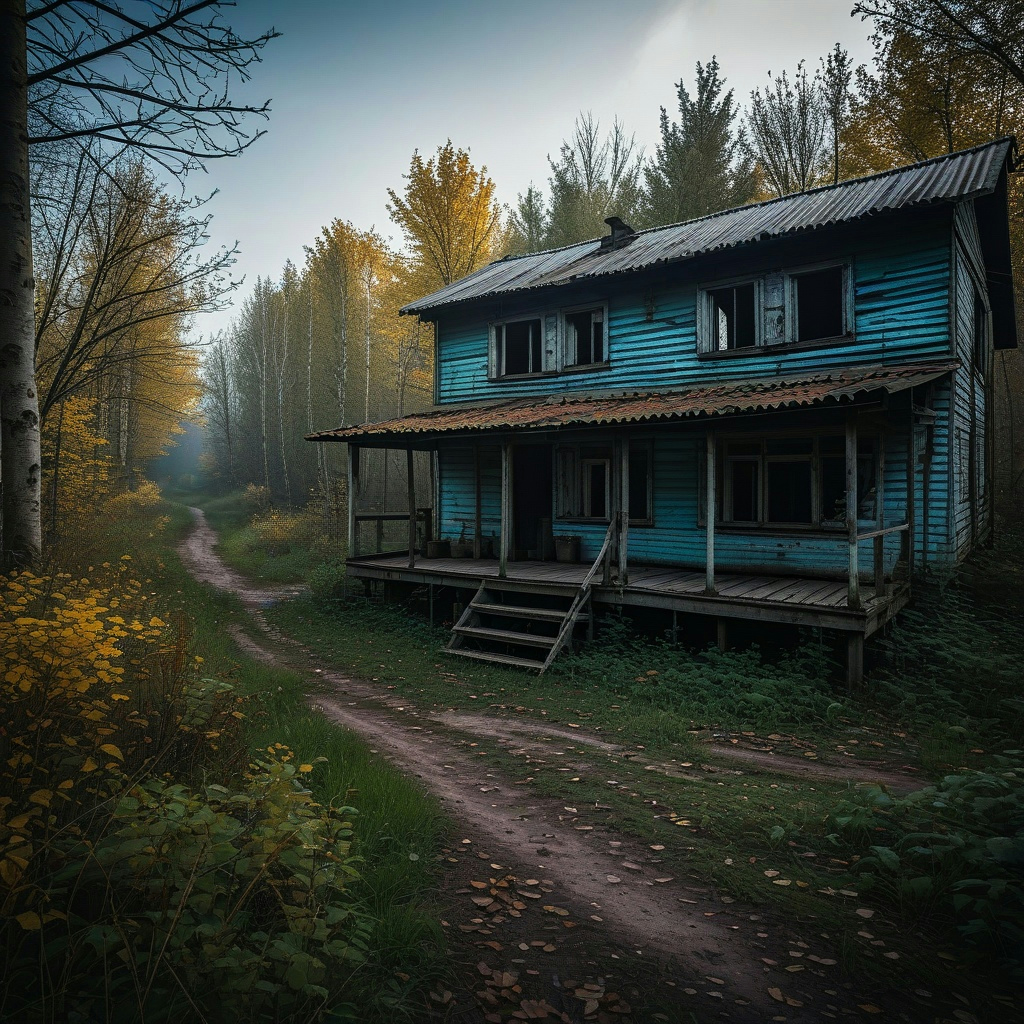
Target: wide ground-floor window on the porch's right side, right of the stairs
<point>793,481</point>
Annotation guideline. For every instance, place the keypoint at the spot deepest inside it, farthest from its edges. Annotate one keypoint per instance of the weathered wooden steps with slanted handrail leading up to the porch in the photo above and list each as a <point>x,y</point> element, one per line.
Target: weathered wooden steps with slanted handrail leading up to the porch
<point>511,624</point>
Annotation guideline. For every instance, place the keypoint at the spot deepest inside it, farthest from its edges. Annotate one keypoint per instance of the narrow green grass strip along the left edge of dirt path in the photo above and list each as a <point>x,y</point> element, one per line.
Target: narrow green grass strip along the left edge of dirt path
<point>399,830</point>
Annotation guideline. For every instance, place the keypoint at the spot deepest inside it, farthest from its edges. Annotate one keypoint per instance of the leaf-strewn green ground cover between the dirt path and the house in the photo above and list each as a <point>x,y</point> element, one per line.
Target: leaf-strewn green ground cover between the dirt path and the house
<point>944,696</point>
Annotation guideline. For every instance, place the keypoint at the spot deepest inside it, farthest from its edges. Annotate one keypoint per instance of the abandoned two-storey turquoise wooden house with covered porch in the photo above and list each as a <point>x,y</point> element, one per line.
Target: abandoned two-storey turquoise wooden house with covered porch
<point>779,413</point>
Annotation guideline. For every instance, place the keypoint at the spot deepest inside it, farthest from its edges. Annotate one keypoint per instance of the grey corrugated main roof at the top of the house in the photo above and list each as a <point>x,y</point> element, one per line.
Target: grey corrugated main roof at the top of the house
<point>955,177</point>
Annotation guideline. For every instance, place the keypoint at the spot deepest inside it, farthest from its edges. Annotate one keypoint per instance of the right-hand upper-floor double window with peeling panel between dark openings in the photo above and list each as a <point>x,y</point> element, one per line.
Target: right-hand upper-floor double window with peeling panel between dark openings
<point>806,307</point>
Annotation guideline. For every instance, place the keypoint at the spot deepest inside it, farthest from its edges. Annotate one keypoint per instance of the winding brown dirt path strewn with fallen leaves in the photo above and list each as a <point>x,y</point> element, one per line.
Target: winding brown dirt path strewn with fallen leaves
<point>548,866</point>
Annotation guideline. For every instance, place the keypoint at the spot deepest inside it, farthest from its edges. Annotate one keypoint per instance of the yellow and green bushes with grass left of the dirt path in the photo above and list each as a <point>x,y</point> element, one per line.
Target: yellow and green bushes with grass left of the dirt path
<point>181,837</point>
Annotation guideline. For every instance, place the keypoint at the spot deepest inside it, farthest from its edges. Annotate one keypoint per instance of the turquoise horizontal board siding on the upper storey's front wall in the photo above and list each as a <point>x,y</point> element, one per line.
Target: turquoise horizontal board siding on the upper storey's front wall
<point>902,313</point>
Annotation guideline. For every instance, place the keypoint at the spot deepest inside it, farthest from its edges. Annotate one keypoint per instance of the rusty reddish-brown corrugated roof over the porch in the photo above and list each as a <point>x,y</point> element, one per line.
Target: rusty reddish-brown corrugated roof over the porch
<point>569,411</point>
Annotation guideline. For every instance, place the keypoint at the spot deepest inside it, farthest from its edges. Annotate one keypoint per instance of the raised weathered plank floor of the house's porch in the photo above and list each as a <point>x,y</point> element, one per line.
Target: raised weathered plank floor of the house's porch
<point>793,601</point>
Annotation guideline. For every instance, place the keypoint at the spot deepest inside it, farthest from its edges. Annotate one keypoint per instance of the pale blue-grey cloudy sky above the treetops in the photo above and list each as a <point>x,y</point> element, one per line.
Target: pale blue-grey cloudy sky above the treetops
<point>357,87</point>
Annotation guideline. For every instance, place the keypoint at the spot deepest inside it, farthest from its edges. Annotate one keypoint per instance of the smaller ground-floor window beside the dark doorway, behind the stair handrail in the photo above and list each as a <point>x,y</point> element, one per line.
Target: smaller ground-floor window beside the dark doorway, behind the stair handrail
<point>585,481</point>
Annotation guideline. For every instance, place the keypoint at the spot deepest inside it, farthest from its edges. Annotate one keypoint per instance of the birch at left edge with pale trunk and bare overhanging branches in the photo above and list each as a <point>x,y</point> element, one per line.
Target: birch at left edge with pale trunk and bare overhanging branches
<point>154,81</point>
